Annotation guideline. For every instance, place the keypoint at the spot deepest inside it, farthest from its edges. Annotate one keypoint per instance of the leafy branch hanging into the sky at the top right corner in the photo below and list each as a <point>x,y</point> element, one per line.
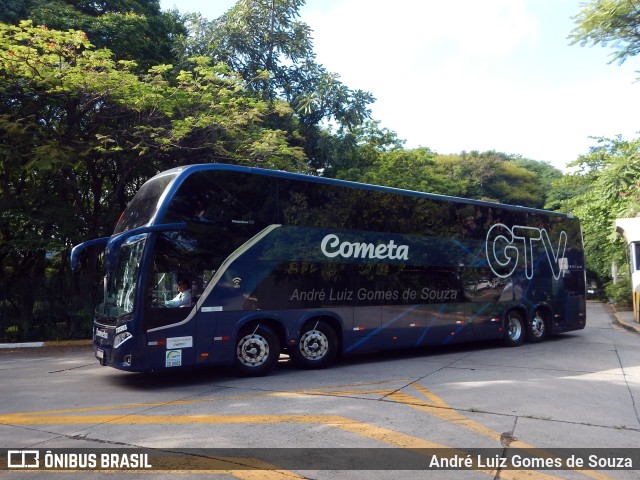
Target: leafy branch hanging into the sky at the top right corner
<point>614,23</point>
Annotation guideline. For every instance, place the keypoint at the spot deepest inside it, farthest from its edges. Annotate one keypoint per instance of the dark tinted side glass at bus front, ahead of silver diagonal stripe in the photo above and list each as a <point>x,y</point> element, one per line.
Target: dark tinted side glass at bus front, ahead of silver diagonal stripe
<point>222,211</point>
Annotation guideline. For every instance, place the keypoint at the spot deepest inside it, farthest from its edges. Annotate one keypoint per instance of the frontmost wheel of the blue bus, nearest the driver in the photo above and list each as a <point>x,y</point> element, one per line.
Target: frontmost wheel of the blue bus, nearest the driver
<point>257,351</point>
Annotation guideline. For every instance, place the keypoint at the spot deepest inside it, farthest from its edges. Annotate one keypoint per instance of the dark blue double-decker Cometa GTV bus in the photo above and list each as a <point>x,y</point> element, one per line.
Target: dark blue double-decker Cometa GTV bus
<point>218,264</point>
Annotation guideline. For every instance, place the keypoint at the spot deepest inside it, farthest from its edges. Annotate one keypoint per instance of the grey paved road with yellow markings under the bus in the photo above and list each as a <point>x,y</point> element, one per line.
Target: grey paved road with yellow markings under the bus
<point>575,391</point>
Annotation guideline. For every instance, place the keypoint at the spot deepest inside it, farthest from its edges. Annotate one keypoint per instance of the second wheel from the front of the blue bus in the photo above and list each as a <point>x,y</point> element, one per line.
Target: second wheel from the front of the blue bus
<point>317,347</point>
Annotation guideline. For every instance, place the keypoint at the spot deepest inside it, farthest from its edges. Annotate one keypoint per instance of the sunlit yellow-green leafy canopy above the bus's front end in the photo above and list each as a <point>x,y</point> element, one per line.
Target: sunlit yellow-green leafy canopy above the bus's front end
<point>82,113</point>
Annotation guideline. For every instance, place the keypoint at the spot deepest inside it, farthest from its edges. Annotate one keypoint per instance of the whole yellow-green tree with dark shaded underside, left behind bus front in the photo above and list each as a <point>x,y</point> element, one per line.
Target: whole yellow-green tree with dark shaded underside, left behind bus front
<point>79,133</point>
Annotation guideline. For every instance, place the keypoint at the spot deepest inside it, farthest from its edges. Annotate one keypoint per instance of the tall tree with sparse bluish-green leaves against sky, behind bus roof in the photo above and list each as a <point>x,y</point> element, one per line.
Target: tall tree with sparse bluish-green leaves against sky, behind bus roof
<point>264,42</point>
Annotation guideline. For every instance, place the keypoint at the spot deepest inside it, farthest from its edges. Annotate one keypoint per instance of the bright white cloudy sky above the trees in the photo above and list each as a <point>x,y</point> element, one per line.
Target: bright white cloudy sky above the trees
<point>469,75</point>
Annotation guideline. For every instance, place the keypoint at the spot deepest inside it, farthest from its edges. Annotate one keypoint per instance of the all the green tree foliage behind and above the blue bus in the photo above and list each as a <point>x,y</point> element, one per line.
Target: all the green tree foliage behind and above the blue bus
<point>109,93</point>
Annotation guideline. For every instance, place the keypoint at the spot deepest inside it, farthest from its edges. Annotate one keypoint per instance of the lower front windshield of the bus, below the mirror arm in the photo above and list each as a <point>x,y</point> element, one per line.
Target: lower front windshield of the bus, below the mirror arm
<point>120,285</point>
